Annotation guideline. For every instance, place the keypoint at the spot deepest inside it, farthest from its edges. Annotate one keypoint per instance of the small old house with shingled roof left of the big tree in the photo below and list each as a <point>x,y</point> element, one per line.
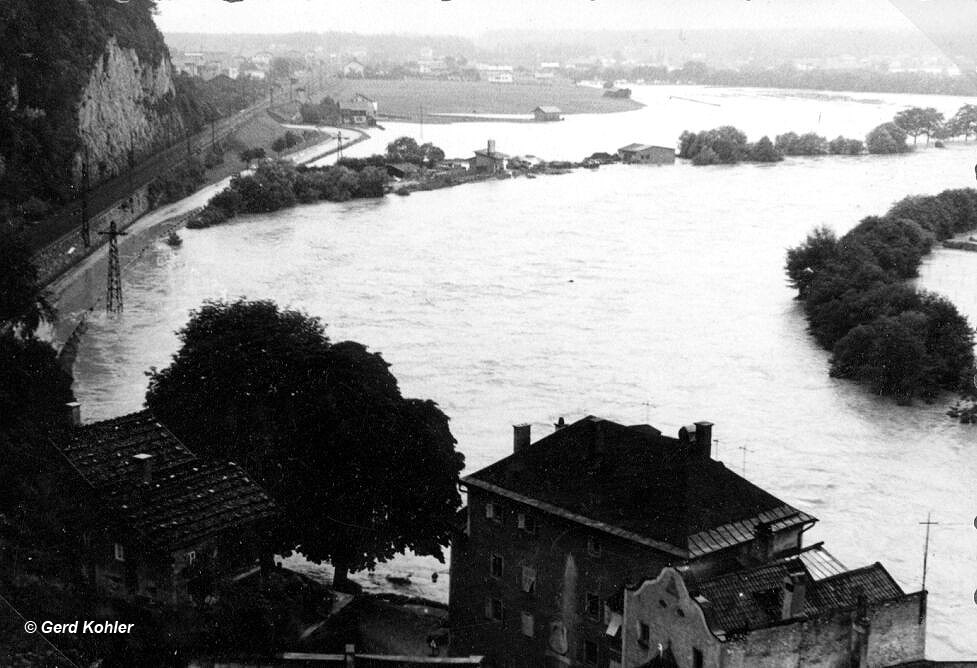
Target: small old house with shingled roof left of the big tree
<point>161,524</point>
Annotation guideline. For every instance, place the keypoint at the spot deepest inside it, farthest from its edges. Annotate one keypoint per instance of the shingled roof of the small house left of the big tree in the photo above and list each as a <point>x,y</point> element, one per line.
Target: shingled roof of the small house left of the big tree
<point>185,499</point>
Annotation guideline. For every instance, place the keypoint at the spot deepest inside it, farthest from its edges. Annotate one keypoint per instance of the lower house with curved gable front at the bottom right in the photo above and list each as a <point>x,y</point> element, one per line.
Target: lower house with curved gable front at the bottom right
<point>771,615</point>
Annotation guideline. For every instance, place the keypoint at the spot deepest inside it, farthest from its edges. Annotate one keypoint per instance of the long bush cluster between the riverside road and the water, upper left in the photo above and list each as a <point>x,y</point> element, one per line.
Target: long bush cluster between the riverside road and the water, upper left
<point>280,184</point>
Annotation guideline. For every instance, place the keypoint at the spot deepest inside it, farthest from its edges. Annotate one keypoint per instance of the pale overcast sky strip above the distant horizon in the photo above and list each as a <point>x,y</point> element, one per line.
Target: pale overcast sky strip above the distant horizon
<point>472,17</point>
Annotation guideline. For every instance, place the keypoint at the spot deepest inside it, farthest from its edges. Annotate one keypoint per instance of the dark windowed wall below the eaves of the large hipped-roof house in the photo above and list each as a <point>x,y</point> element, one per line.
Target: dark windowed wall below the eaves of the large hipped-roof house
<point>531,589</point>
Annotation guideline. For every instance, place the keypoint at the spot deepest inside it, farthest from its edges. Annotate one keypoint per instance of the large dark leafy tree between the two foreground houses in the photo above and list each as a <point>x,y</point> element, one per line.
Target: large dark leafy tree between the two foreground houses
<point>361,472</point>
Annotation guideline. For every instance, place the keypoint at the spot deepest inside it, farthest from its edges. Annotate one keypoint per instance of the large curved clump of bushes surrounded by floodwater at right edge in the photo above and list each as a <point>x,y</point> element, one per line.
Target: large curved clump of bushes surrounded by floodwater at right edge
<point>903,342</point>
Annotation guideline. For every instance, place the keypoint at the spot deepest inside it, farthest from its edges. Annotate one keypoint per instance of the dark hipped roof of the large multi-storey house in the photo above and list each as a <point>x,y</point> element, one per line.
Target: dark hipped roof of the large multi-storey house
<point>638,484</point>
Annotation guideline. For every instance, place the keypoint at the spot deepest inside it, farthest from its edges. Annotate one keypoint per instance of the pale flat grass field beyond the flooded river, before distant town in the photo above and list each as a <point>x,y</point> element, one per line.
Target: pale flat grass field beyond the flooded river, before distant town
<point>405,98</point>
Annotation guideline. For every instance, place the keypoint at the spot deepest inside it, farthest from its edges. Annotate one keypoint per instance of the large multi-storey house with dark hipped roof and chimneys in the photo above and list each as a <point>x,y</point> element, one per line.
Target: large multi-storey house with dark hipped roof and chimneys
<point>555,531</point>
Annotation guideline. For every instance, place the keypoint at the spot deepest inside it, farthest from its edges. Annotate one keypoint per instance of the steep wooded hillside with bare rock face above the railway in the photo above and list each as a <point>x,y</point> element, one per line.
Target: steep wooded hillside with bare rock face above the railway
<point>79,80</point>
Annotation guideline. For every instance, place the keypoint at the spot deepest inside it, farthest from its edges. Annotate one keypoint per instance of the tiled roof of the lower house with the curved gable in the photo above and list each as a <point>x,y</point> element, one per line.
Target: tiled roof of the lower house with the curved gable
<point>752,598</point>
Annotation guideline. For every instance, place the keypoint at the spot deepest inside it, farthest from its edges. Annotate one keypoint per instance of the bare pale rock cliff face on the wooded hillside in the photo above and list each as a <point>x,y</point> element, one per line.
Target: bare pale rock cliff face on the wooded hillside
<point>127,105</point>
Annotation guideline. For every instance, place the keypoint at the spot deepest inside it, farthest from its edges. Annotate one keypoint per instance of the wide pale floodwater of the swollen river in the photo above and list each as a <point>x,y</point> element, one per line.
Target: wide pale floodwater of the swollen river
<point>636,293</point>
